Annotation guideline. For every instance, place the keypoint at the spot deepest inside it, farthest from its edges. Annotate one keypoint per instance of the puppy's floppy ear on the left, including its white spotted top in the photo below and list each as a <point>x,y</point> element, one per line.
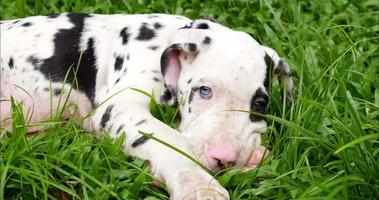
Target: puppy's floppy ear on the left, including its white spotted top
<point>185,46</point>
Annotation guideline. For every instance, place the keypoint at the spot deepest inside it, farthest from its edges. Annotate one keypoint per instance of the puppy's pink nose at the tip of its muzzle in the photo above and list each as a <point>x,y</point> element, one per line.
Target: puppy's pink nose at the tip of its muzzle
<point>221,156</point>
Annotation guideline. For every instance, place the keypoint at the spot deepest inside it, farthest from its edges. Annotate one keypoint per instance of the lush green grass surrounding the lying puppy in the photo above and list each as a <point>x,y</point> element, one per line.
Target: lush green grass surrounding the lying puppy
<point>324,147</point>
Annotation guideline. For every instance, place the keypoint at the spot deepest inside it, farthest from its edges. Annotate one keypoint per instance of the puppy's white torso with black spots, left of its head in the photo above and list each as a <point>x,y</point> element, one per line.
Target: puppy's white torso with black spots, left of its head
<point>40,53</point>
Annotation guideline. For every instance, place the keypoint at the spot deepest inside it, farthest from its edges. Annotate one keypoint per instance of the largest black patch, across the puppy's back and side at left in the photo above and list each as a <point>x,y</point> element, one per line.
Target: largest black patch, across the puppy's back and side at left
<point>67,54</point>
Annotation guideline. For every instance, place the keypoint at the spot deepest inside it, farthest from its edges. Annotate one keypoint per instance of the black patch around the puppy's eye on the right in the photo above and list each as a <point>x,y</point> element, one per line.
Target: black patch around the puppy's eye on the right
<point>258,103</point>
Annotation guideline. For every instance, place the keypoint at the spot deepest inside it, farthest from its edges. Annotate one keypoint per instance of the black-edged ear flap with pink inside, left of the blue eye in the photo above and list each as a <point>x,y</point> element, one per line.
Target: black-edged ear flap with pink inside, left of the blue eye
<point>172,61</point>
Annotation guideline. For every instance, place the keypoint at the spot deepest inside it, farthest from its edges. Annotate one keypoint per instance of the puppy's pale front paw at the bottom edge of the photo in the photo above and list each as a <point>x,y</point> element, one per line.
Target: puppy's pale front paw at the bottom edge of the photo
<point>197,184</point>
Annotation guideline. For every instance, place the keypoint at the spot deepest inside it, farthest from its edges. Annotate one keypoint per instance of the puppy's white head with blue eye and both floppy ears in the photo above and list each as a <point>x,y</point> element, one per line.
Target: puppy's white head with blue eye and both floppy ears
<point>212,70</point>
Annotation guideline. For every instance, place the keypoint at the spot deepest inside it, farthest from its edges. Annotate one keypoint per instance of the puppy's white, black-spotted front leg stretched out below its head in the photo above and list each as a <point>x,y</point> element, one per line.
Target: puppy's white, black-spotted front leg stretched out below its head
<point>185,180</point>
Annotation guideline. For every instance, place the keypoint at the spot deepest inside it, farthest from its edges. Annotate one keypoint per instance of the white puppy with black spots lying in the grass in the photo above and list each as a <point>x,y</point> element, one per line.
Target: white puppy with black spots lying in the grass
<point>208,69</point>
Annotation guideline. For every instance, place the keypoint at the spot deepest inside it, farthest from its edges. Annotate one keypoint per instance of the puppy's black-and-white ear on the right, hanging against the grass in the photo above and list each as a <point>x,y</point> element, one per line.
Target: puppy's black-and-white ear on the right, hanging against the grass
<point>280,68</point>
